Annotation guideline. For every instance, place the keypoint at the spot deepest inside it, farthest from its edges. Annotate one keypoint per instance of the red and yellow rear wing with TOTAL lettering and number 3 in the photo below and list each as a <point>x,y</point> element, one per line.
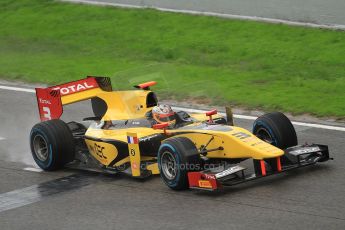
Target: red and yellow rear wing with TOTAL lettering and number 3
<point>51,100</point>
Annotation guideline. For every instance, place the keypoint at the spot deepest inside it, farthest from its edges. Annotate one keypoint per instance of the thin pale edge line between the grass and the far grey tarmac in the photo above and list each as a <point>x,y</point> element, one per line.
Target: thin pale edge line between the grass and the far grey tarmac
<point>232,16</point>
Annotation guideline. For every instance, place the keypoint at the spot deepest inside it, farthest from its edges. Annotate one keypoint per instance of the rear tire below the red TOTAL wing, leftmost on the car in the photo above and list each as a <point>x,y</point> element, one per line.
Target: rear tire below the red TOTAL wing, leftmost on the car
<point>52,144</point>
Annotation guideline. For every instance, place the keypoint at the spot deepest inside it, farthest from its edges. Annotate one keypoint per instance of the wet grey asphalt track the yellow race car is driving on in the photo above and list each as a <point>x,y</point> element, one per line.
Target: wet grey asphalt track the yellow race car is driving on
<point>310,198</point>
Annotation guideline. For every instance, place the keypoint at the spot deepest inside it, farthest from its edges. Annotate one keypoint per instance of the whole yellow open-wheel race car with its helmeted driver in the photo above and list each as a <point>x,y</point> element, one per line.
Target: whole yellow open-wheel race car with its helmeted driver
<point>201,151</point>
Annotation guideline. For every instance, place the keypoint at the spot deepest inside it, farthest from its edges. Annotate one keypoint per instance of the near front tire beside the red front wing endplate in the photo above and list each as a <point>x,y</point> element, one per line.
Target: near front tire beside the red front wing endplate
<point>176,157</point>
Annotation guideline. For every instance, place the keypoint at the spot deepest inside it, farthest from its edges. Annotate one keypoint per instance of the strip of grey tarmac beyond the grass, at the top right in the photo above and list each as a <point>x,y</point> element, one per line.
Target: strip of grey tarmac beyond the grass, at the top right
<point>313,13</point>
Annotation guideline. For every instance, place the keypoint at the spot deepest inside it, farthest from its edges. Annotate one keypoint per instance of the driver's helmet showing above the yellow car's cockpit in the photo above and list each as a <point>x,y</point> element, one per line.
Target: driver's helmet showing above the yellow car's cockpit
<point>164,114</point>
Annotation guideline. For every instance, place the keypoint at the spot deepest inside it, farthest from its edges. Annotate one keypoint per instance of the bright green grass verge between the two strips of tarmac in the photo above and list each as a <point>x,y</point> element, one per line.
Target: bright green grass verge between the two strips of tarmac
<point>252,64</point>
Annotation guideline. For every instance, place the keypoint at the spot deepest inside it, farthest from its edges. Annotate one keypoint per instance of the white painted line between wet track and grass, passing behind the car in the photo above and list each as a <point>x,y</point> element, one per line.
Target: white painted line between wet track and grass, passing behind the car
<point>245,117</point>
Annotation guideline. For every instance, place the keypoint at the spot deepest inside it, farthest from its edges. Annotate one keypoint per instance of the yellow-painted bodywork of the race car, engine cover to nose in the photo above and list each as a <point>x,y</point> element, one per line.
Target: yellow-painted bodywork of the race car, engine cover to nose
<point>233,143</point>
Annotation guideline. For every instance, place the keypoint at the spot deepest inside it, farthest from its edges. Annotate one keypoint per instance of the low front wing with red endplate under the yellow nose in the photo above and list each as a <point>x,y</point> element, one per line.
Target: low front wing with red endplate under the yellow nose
<point>293,158</point>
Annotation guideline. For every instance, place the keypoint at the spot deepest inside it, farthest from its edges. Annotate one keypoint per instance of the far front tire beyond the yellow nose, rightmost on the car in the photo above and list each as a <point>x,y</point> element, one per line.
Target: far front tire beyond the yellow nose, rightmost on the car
<point>276,129</point>
